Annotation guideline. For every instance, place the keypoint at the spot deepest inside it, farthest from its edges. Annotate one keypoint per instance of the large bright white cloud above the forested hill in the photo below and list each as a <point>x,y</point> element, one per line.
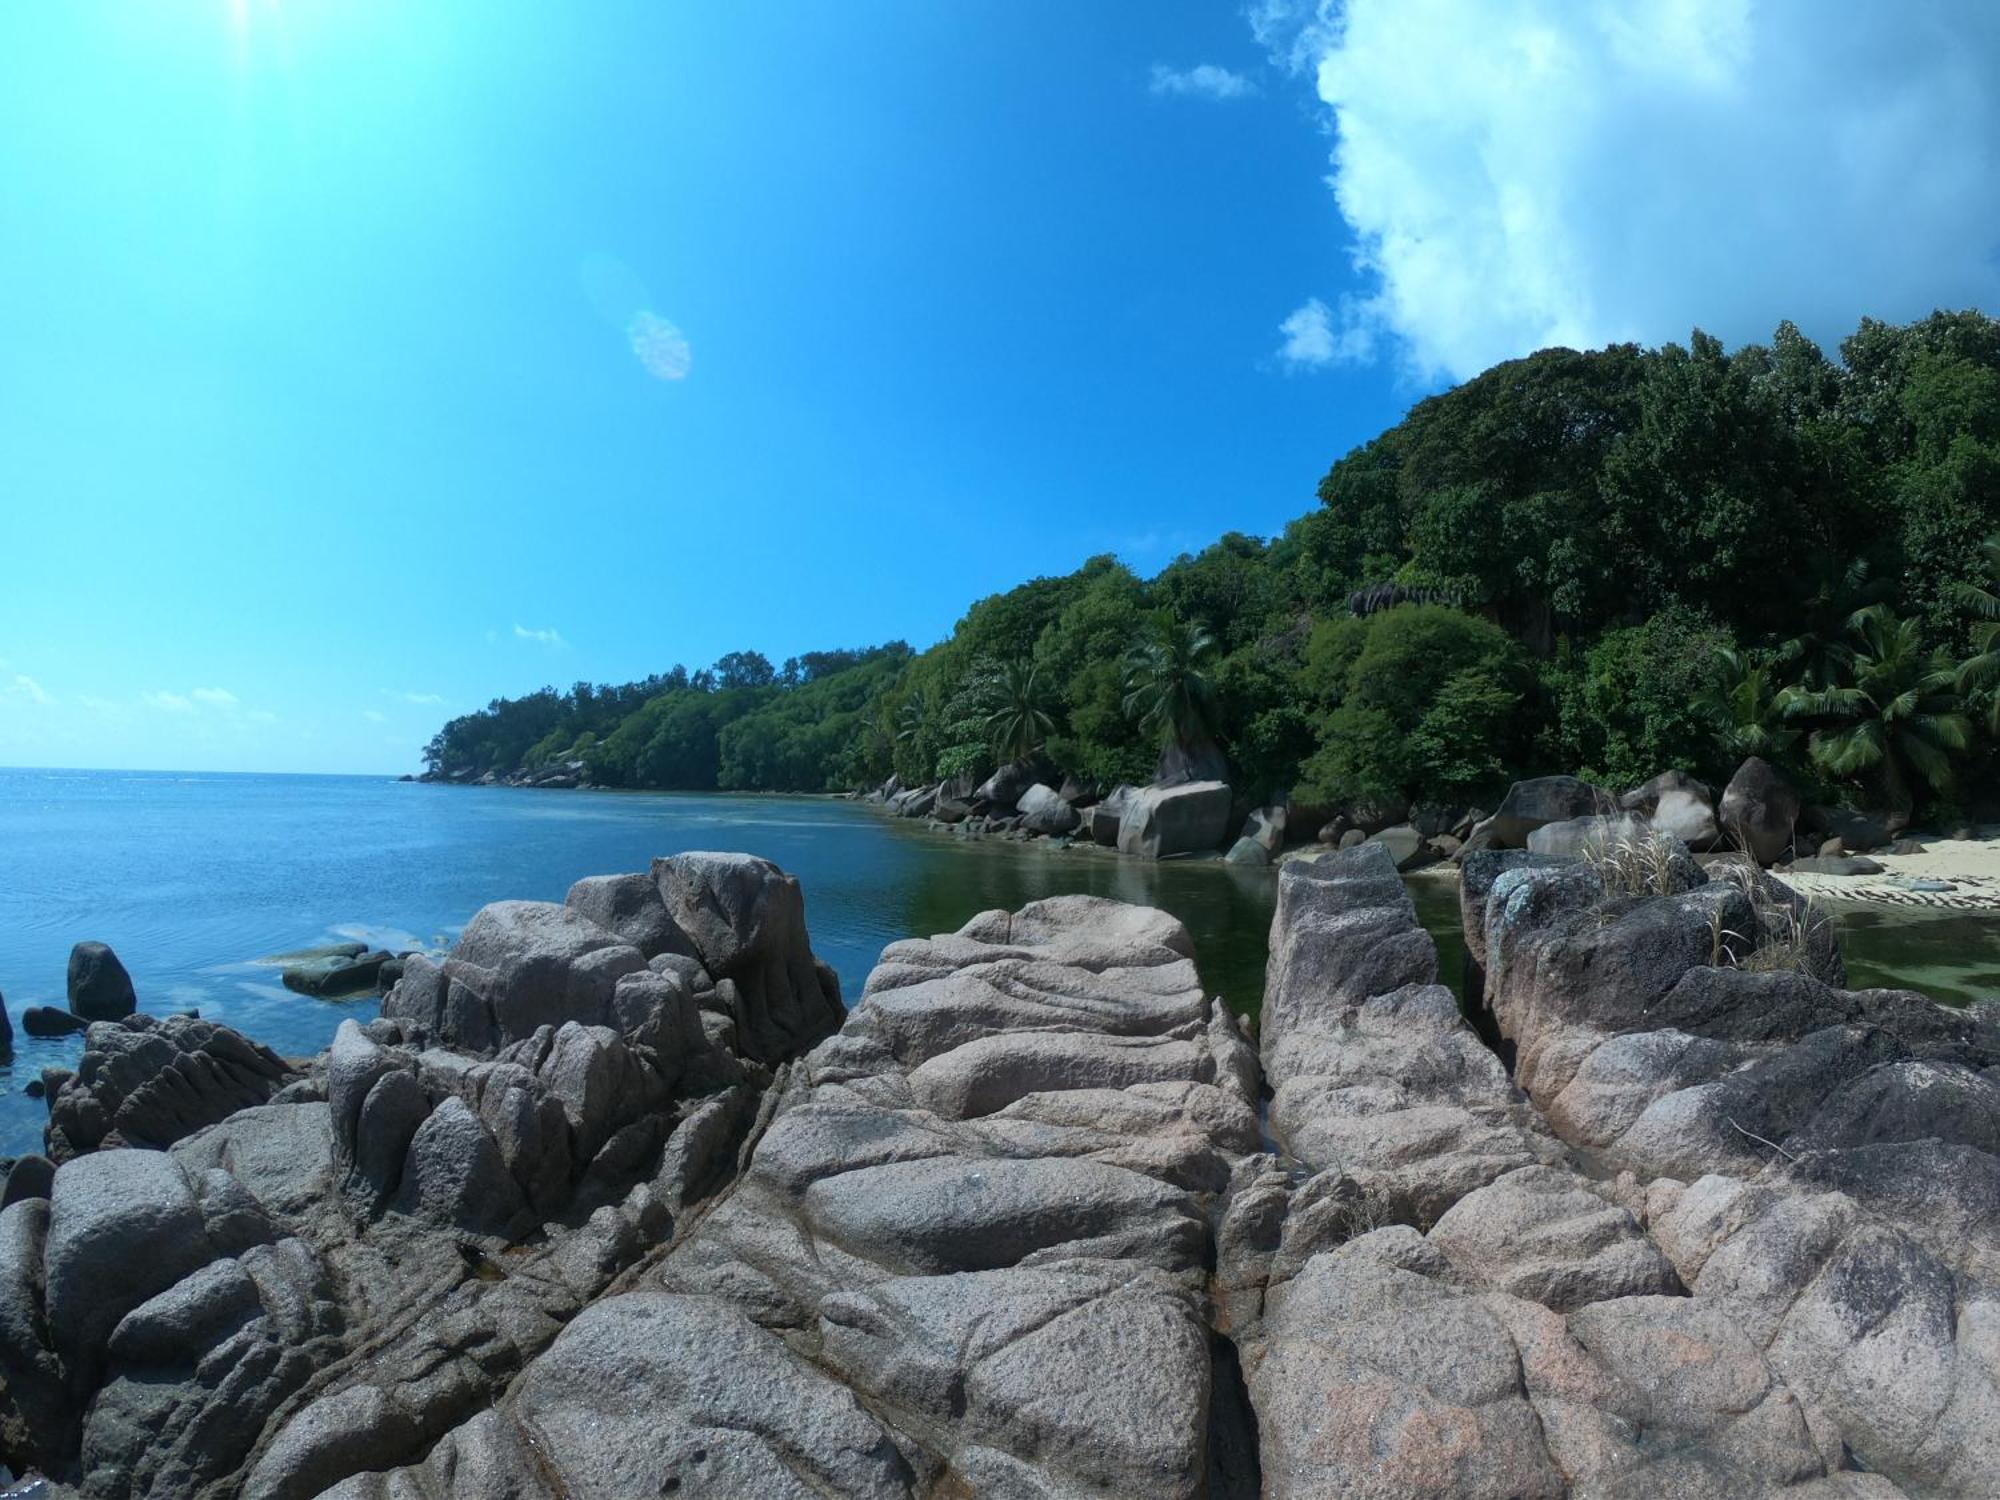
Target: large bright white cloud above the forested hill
<point>1547,173</point>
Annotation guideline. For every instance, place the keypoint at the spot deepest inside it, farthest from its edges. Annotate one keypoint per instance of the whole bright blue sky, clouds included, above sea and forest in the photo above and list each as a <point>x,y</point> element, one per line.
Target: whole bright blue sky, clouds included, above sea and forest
<point>363,361</point>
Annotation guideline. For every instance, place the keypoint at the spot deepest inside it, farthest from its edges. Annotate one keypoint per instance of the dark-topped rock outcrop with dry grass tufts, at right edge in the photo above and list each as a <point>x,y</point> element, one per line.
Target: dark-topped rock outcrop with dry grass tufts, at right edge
<point>1817,1165</point>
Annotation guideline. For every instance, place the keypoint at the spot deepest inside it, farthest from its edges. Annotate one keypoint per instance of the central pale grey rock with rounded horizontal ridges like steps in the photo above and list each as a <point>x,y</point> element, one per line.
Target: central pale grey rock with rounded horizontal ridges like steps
<point>967,1255</point>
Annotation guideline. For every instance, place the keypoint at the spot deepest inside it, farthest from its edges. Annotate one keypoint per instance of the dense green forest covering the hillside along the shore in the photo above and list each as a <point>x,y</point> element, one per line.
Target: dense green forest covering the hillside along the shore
<point>1601,563</point>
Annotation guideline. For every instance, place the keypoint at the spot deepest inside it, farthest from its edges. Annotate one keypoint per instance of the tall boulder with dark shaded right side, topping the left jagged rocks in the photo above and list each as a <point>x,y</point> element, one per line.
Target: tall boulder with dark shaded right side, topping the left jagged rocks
<point>747,921</point>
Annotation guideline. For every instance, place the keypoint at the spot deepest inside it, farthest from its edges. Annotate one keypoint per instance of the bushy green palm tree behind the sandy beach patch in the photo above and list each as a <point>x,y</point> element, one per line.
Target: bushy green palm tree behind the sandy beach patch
<point>1893,709</point>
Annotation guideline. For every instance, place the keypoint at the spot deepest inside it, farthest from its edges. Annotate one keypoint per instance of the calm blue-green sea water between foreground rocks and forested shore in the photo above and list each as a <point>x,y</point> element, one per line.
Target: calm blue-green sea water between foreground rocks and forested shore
<point>195,879</point>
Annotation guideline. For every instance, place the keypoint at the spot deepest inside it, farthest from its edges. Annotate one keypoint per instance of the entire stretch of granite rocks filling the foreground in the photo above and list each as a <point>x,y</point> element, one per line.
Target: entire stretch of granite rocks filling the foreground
<point>619,1199</point>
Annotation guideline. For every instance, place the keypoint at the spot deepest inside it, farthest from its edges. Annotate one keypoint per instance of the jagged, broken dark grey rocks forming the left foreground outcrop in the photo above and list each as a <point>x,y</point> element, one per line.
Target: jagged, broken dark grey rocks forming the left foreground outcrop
<point>325,1275</point>
